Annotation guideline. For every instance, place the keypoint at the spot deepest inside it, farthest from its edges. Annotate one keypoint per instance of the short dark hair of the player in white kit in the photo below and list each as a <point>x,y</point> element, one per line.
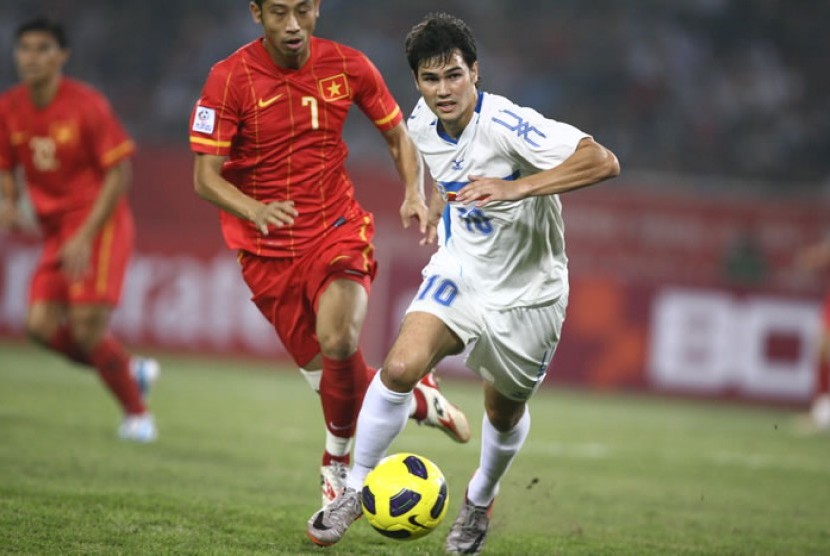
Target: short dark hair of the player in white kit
<point>437,37</point>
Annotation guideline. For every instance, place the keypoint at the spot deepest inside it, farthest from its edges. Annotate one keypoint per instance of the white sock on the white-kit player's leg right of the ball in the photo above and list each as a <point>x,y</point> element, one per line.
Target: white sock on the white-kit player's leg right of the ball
<point>497,452</point>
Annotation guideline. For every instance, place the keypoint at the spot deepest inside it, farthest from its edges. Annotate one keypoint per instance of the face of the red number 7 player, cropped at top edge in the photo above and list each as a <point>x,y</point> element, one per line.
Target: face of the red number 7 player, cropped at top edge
<point>288,26</point>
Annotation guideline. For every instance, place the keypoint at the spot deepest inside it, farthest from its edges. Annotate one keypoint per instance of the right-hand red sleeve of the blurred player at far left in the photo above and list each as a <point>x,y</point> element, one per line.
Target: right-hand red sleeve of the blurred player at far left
<point>110,142</point>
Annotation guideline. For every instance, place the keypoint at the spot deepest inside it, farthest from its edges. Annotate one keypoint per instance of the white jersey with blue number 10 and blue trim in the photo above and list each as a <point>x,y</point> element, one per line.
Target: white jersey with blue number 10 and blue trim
<point>512,253</point>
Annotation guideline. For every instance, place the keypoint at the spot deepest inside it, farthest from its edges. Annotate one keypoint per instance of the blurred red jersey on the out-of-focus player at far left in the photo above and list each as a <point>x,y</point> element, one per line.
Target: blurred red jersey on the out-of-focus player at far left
<point>64,148</point>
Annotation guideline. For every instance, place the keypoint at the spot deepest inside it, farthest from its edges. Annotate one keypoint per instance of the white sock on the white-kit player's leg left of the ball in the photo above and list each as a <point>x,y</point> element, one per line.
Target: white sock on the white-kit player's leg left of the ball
<point>382,417</point>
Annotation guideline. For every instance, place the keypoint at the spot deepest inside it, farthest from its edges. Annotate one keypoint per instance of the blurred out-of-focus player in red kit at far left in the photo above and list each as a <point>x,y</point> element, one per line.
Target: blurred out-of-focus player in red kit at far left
<point>75,158</point>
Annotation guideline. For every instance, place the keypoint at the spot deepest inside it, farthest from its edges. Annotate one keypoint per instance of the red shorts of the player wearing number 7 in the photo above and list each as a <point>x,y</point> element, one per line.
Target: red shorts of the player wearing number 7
<point>287,290</point>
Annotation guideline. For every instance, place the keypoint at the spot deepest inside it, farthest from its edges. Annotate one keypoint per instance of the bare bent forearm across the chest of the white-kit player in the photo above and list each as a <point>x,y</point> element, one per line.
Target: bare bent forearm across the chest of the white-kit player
<point>589,164</point>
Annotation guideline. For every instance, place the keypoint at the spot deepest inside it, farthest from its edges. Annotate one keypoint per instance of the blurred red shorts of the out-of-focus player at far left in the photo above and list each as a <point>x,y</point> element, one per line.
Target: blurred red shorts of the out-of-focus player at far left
<point>111,252</point>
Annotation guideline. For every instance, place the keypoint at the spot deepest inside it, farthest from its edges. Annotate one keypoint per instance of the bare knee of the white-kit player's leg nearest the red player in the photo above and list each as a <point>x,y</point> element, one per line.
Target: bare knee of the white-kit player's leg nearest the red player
<point>421,343</point>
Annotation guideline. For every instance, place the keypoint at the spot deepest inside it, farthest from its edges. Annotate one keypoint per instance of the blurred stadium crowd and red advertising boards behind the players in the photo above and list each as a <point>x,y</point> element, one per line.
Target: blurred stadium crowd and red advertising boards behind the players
<point>683,273</point>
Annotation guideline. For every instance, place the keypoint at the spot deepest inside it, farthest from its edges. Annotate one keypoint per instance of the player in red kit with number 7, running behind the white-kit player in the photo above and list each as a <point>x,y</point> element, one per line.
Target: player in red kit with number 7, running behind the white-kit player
<point>267,133</point>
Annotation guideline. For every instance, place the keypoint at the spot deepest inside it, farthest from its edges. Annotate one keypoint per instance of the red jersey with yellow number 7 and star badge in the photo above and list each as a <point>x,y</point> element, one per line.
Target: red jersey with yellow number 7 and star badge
<point>282,131</point>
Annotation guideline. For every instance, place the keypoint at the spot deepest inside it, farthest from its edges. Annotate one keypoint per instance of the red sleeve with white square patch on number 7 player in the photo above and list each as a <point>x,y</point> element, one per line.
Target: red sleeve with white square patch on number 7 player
<point>215,118</point>
